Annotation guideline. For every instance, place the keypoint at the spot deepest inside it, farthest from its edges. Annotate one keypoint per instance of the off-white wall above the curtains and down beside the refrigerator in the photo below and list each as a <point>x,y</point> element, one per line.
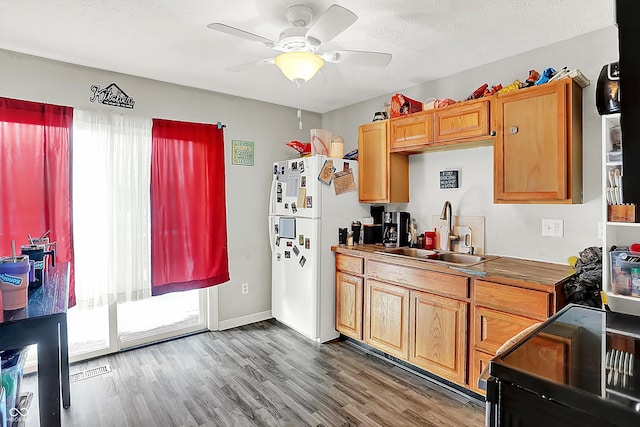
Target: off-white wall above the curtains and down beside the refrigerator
<point>267,125</point>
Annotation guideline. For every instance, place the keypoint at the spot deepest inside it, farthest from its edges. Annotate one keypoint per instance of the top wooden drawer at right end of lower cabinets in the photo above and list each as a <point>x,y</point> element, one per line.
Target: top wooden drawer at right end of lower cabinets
<point>513,299</point>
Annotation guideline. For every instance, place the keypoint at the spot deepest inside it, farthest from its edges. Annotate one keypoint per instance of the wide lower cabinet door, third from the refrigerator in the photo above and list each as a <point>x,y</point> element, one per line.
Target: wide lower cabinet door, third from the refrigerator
<point>438,335</point>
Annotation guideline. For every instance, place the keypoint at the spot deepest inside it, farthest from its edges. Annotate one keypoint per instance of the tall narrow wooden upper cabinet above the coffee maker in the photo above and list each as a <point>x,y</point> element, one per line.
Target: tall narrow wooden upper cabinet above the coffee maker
<point>383,177</point>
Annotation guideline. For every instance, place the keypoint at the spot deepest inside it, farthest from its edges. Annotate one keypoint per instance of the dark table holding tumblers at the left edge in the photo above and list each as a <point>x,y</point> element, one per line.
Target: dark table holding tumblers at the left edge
<point>44,322</point>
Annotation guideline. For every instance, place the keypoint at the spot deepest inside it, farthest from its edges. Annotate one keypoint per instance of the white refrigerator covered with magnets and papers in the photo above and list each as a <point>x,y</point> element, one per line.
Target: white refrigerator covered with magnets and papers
<point>304,216</point>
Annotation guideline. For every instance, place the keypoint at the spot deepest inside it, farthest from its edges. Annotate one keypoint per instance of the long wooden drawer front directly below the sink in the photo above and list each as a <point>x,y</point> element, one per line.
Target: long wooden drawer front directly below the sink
<point>442,283</point>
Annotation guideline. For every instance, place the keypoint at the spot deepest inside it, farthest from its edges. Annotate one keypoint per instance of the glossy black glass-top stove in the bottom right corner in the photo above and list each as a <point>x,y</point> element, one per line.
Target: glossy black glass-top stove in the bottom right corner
<point>580,367</point>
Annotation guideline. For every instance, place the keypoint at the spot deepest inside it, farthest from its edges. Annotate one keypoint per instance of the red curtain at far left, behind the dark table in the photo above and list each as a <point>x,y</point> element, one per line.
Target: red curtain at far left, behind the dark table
<point>35,174</point>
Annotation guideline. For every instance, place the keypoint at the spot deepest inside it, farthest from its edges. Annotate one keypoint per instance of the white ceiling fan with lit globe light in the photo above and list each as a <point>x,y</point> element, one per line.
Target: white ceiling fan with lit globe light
<point>301,43</point>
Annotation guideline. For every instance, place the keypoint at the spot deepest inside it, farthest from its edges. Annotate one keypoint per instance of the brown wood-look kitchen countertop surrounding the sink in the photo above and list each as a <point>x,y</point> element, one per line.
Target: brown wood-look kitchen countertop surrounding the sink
<point>500,269</point>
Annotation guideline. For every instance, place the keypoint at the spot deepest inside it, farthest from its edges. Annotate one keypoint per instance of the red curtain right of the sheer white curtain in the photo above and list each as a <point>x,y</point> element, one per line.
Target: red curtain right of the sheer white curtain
<point>188,208</point>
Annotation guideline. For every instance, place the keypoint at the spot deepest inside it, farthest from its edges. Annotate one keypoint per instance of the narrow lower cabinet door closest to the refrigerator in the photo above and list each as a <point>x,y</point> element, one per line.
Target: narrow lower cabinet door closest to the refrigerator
<point>349,290</point>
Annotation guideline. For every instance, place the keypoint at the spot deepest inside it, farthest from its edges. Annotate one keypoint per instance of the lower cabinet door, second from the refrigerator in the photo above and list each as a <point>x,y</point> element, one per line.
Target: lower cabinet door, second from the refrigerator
<point>387,318</point>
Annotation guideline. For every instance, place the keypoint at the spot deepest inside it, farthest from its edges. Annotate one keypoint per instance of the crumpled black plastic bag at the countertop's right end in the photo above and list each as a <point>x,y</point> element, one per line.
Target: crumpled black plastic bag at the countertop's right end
<point>585,285</point>
